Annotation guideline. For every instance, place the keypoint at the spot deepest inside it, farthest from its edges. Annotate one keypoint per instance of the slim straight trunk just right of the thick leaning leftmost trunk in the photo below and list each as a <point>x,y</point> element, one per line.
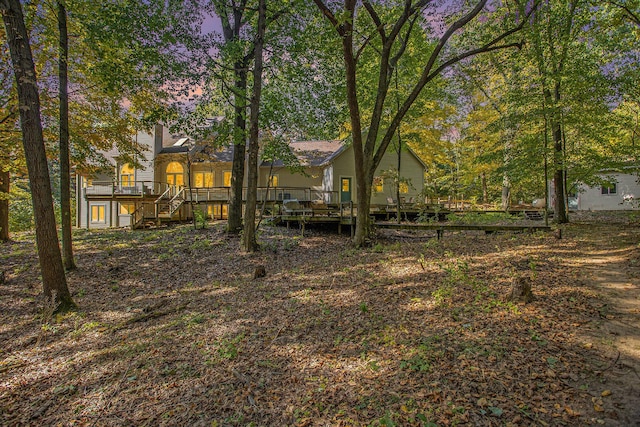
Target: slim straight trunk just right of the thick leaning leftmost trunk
<point>65,169</point>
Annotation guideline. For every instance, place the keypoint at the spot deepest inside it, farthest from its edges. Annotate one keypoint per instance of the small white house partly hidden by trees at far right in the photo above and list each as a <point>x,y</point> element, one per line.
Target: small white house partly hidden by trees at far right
<point>623,193</point>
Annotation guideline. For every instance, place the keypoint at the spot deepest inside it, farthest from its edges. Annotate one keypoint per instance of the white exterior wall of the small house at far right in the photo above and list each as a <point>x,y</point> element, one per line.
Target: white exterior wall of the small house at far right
<point>591,198</point>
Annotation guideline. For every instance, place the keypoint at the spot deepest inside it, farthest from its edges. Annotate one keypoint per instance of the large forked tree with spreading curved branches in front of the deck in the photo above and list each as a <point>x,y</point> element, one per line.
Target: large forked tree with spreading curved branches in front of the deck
<point>392,30</point>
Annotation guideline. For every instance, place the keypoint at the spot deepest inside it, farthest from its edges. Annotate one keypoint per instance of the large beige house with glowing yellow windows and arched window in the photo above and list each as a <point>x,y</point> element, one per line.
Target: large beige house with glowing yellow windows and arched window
<point>157,189</point>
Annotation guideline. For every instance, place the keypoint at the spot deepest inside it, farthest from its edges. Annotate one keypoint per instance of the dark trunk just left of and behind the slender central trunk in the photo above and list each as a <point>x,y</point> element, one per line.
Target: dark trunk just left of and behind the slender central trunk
<point>234,221</point>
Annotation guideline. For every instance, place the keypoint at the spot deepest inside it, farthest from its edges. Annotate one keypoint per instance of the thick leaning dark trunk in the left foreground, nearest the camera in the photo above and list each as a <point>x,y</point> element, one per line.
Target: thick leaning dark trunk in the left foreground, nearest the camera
<point>53,276</point>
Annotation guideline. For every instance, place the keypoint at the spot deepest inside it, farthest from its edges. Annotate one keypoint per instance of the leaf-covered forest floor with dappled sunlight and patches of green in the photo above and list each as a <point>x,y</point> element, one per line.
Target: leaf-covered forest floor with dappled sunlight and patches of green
<point>173,329</point>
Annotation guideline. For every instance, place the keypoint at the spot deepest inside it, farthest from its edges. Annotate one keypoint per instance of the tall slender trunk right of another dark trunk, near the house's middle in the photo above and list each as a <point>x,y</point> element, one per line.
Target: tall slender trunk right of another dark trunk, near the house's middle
<point>249,242</point>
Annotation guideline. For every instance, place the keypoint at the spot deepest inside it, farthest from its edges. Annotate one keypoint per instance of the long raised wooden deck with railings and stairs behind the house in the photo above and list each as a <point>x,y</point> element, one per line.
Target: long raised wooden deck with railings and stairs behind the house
<point>312,207</point>
